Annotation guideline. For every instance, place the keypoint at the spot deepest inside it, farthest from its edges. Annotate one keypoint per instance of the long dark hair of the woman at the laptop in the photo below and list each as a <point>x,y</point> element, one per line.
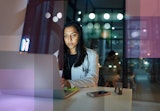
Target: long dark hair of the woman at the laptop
<point>81,50</point>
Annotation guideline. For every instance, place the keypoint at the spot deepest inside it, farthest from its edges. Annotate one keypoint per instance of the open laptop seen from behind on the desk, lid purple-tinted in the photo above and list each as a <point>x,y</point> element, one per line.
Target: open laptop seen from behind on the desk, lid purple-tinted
<point>32,75</point>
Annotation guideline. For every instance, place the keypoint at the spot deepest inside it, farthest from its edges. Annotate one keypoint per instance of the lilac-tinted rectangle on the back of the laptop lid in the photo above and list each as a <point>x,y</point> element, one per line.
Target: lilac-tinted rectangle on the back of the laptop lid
<point>17,79</point>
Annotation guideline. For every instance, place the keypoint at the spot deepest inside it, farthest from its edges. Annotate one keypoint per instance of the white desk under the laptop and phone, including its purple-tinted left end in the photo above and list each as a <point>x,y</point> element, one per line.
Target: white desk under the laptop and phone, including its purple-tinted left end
<point>78,102</point>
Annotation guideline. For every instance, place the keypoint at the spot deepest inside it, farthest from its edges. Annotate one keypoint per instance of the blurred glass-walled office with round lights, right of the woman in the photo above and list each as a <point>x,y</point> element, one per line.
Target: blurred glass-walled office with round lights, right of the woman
<point>131,30</point>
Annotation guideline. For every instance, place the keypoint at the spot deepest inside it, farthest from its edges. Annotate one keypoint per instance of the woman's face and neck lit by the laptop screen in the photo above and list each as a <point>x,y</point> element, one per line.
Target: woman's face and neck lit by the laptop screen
<point>71,38</point>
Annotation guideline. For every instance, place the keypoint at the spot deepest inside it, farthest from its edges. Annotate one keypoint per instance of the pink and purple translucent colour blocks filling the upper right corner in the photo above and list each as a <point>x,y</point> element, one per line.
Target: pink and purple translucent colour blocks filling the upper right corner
<point>143,26</point>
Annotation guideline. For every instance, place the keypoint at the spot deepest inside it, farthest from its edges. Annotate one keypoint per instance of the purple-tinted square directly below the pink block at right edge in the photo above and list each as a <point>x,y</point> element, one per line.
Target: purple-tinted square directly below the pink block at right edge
<point>146,44</point>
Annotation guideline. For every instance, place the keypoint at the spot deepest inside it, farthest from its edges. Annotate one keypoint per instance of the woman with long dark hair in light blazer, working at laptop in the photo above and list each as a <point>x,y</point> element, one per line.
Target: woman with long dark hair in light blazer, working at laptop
<point>80,63</point>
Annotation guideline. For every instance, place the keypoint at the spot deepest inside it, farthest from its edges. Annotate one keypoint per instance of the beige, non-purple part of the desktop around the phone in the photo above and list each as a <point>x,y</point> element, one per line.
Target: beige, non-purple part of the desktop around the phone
<point>82,102</point>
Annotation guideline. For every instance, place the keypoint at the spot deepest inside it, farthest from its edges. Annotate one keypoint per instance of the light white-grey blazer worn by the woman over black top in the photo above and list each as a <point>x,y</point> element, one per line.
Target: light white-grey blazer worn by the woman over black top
<point>87,74</point>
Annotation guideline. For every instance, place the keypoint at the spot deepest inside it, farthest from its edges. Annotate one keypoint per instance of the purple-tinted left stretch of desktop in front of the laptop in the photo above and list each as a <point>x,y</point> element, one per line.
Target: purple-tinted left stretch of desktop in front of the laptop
<point>25,103</point>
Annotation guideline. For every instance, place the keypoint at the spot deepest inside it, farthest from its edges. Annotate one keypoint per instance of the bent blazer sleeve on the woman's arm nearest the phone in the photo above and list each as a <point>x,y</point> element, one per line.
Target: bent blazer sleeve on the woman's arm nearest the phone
<point>90,78</point>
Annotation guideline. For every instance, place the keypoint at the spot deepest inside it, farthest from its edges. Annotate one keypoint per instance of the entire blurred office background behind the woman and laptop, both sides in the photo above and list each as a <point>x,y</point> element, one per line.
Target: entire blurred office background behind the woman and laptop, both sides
<point>133,36</point>
